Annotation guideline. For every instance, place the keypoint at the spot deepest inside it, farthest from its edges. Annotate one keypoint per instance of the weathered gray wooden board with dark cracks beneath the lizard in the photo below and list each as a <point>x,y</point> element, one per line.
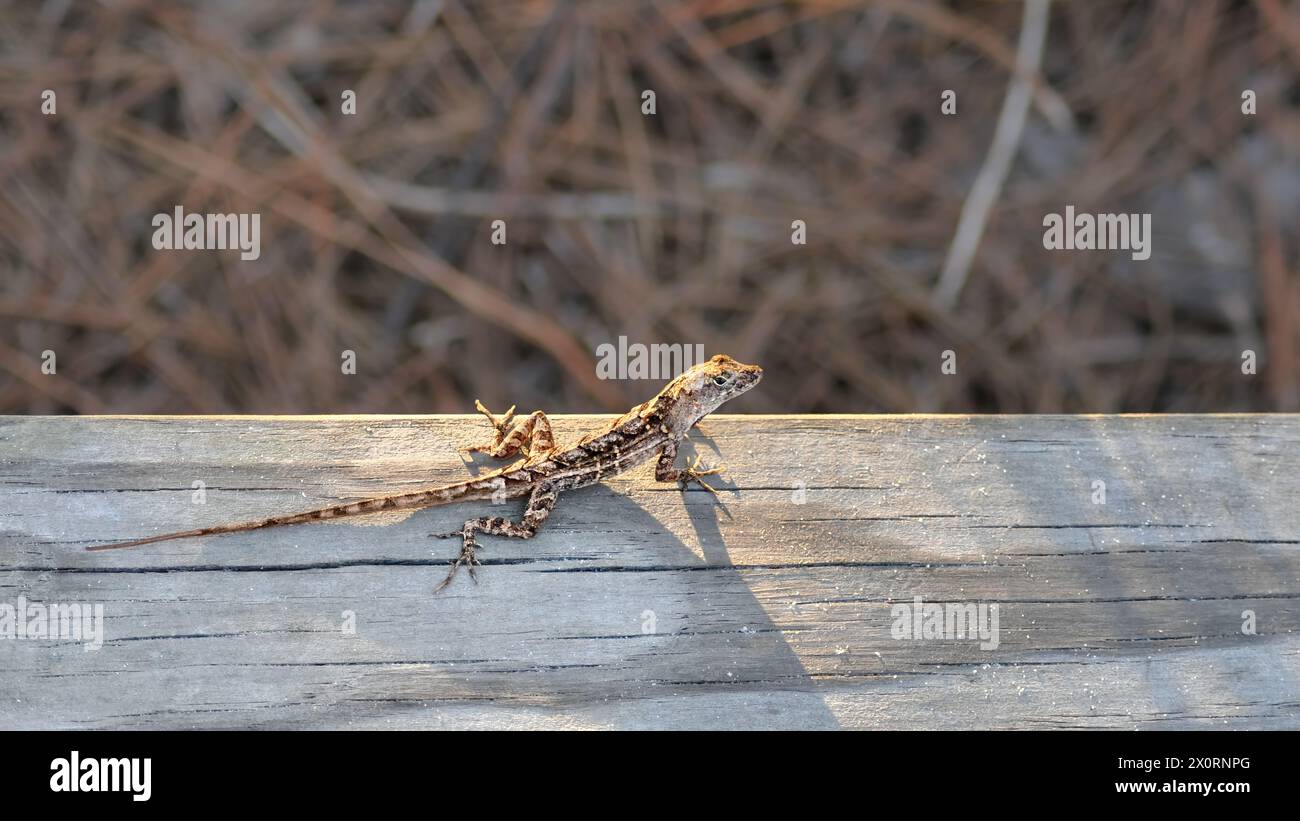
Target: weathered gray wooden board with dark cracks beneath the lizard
<point>766,613</point>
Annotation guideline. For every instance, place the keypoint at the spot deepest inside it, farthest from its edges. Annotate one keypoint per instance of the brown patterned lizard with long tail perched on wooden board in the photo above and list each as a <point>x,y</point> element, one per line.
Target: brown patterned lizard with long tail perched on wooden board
<point>652,428</point>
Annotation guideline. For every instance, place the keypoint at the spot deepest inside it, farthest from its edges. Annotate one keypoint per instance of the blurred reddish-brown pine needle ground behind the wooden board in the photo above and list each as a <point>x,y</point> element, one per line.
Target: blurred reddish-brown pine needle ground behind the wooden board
<point>666,228</point>
